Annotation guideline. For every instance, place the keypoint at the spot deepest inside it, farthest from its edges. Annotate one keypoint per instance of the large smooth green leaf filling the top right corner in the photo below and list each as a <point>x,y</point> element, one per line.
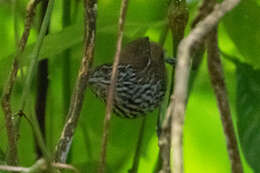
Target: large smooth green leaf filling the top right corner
<point>243,26</point>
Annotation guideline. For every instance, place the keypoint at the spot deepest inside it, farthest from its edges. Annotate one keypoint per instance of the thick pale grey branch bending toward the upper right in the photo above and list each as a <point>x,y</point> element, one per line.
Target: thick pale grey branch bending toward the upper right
<point>185,49</point>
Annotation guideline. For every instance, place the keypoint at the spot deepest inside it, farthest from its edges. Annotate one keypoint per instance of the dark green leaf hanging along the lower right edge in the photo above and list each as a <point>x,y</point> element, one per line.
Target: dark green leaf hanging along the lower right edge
<point>248,112</point>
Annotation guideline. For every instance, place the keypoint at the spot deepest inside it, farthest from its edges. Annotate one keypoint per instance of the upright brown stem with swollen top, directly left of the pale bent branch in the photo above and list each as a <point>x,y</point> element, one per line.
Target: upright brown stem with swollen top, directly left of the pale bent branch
<point>178,18</point>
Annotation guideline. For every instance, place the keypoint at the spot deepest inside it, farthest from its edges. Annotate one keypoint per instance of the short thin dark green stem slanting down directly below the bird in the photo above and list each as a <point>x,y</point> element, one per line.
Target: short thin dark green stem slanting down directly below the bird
<point>137,155</point>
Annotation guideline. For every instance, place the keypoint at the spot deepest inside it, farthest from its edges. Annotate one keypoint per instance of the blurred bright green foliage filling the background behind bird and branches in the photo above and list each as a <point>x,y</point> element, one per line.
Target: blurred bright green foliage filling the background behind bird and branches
<point>204,141</point>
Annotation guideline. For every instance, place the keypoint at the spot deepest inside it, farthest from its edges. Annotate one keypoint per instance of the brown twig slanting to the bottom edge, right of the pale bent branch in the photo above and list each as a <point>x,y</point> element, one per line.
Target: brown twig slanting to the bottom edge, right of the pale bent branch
<point>218,83</point>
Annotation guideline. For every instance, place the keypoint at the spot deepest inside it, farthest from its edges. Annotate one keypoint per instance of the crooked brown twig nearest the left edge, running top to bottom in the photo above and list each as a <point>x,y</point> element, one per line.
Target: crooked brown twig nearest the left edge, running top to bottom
<point>6,105</point>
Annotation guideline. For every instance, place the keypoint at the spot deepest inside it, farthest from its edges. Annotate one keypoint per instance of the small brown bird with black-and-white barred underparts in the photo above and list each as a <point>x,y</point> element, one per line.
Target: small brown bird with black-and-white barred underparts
<point>141,79</point>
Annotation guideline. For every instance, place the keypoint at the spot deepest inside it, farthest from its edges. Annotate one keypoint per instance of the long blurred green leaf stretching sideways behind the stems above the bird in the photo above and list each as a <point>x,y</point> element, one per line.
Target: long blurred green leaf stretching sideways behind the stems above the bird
<point>55,43</point>
